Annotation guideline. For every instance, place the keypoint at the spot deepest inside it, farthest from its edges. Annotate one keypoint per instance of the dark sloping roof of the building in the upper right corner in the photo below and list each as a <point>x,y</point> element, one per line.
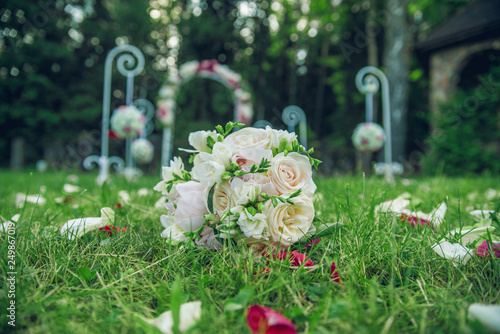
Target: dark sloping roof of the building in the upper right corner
<point>480,18</point>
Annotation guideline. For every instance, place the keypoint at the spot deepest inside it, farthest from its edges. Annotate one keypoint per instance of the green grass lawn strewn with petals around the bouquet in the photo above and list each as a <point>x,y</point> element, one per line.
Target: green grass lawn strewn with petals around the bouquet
<point>393,281</point>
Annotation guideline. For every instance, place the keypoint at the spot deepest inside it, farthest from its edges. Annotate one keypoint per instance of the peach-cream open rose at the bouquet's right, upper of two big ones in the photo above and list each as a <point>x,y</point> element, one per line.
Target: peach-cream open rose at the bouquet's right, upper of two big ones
<point>291,173</point>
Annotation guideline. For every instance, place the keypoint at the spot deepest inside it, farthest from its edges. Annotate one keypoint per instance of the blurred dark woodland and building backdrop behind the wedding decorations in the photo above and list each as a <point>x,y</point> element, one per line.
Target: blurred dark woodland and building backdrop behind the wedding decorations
<point>442,59</point>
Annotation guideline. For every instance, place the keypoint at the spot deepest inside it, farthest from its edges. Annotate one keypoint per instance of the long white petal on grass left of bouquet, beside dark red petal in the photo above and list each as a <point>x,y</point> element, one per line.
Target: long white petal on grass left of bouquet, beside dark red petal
<point>75,228</point>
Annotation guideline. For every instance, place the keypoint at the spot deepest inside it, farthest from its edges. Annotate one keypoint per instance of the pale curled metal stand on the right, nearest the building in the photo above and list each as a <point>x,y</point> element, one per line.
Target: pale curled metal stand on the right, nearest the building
<point>367,81</point>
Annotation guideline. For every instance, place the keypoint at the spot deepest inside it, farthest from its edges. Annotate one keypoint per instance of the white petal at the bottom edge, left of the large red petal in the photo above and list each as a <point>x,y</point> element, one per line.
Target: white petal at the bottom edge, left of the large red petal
<point>189,313</point>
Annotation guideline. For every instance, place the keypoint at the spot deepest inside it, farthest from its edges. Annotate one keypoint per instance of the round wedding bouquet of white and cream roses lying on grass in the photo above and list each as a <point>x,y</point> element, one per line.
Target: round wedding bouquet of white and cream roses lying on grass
<point>252,186</point>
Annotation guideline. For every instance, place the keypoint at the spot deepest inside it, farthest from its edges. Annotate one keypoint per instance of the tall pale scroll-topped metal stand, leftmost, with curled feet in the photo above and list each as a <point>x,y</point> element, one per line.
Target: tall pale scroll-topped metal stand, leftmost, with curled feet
<point>129,64</point>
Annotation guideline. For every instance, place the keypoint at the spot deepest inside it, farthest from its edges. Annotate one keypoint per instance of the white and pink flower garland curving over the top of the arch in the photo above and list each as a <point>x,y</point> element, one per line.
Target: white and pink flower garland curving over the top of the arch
<point>210,69</point>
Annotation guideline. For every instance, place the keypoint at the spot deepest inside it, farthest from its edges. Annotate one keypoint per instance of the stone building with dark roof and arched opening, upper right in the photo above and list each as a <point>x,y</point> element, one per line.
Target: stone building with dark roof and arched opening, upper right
<point>459,45</point>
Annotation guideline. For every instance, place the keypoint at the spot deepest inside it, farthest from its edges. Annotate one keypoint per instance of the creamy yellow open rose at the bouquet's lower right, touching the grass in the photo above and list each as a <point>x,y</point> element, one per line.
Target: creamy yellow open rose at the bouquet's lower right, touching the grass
<point>288,223</point>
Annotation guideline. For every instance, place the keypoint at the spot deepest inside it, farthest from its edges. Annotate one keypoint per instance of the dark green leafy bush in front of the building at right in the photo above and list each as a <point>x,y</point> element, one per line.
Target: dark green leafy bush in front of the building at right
<point>469,139</point>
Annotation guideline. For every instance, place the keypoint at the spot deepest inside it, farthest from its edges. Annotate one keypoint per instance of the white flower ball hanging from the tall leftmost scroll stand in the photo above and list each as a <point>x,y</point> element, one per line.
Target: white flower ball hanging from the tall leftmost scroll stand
<point>127,122</point>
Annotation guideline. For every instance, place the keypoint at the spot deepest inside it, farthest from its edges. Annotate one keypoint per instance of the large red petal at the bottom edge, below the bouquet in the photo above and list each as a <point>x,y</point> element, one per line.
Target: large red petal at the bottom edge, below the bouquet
<point>263,320</point>
